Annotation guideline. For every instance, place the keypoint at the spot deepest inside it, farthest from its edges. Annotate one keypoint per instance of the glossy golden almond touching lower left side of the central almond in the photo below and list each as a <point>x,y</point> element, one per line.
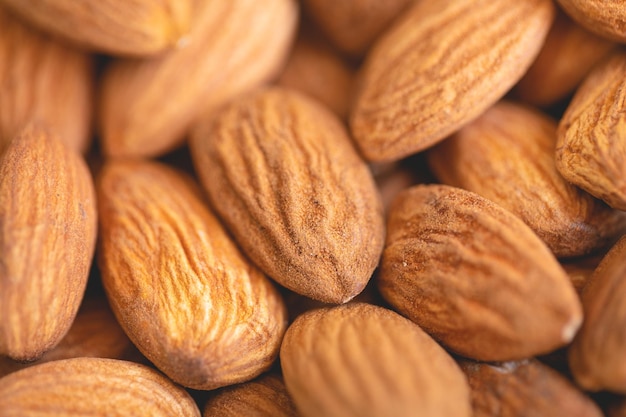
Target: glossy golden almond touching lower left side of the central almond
<point>178,285</point>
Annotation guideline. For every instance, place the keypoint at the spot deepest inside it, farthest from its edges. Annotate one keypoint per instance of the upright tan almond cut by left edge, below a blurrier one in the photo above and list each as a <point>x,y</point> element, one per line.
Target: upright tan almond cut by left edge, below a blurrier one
<point>47,239</point>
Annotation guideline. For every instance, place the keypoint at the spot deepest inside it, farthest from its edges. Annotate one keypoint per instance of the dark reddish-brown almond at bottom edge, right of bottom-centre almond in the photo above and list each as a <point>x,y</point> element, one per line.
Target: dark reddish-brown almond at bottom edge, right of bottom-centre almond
<point>526,388</point>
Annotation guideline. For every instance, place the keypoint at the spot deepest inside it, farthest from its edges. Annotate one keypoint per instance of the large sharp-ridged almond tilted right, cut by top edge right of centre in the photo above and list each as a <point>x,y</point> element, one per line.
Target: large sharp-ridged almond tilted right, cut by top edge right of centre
<point>441,66</point>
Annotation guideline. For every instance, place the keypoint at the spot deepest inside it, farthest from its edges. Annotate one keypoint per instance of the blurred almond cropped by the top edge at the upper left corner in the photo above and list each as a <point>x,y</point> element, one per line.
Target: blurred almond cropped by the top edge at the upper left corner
<point>116,27</point>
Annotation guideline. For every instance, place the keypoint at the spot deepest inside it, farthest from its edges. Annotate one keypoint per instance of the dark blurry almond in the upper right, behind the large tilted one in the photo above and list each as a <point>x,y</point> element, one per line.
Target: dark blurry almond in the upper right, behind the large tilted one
<point>565,59</point>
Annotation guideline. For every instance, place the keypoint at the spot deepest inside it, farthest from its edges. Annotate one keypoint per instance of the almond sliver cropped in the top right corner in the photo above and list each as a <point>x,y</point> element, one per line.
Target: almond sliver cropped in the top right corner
<point>607,18</point>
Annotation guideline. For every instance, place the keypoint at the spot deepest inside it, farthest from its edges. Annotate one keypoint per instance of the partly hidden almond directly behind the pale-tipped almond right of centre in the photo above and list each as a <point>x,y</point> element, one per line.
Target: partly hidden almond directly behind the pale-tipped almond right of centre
<point>507,156</point>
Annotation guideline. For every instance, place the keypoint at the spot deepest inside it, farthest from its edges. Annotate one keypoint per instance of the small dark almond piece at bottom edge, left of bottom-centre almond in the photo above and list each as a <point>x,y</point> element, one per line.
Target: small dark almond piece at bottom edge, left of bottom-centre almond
<point>263,397</point>
